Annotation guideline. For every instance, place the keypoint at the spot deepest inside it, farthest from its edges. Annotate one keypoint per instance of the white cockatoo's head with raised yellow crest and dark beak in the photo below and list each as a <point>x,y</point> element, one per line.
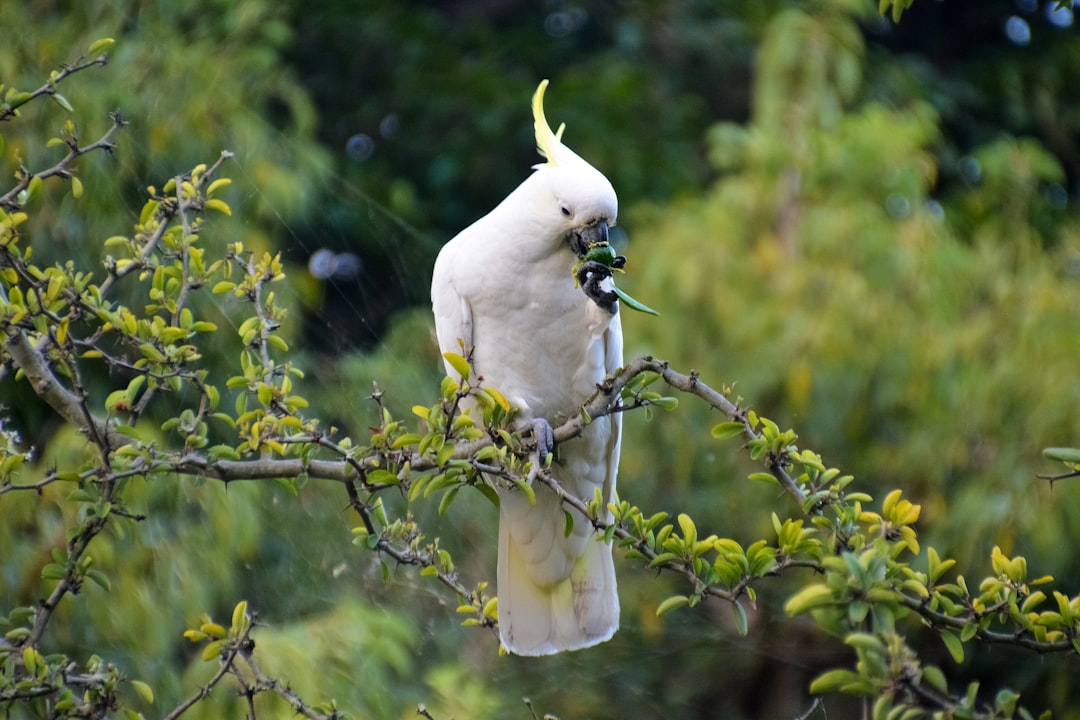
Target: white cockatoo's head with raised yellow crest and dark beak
<point>575,197</point>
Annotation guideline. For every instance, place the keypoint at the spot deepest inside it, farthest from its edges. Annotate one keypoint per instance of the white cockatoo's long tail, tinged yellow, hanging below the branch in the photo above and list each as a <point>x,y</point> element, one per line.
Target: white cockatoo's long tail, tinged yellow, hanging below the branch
<point>569,614</point>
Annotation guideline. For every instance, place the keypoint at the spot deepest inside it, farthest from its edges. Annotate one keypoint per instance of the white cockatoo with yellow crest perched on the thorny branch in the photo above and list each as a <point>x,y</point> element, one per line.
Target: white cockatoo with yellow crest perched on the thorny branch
<point>505,291</point>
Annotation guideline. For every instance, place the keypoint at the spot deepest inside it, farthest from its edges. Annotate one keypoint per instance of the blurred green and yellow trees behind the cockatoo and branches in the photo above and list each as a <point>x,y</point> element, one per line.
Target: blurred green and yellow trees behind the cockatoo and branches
<point>868,229</point>
